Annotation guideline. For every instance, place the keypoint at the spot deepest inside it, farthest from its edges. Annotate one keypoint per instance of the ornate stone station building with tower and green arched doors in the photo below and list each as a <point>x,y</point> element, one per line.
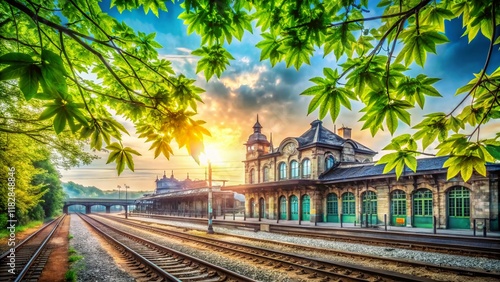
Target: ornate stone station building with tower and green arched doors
<point>322,176</point>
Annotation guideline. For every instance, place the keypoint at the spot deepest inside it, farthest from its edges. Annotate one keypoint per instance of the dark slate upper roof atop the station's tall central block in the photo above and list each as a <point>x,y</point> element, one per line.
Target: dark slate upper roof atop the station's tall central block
<point>319,135</point>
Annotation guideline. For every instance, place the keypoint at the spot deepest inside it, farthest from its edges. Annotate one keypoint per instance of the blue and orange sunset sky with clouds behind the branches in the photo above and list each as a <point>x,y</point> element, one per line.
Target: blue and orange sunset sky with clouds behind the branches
<point>249,88</point>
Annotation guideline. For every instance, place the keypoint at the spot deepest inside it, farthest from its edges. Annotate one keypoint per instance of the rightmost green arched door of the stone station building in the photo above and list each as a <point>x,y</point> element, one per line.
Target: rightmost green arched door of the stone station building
<point>459,208</point>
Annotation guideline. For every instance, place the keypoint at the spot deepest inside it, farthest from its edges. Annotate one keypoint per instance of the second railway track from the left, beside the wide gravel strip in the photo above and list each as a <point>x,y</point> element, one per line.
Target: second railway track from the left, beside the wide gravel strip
<point>159,263</point>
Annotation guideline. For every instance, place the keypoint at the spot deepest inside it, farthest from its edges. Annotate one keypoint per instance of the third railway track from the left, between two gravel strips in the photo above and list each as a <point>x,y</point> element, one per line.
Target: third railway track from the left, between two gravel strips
<point>306,267</point>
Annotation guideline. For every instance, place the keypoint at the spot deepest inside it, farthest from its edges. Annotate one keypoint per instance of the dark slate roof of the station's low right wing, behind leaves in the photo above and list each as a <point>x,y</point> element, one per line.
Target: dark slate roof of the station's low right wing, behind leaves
<point>364,171</point>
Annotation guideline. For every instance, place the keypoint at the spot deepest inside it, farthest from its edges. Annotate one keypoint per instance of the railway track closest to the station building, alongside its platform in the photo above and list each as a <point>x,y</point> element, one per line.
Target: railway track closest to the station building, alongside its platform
<point>449,244</point>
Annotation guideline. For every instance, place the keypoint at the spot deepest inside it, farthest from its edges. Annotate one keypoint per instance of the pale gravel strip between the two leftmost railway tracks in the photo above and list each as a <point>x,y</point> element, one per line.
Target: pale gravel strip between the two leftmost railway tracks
<point>96,264</point>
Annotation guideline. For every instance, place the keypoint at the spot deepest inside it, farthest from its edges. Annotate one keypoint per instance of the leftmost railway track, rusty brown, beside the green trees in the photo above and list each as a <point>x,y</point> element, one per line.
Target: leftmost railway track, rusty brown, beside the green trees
<point>28,258</point>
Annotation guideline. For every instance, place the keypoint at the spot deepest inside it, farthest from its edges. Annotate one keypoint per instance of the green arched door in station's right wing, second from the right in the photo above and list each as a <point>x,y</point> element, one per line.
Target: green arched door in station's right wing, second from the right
<point>422,208</point>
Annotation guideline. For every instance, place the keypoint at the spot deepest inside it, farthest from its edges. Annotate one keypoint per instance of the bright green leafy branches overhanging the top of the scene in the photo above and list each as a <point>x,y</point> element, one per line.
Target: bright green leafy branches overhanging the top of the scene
<point>49,46</point>
